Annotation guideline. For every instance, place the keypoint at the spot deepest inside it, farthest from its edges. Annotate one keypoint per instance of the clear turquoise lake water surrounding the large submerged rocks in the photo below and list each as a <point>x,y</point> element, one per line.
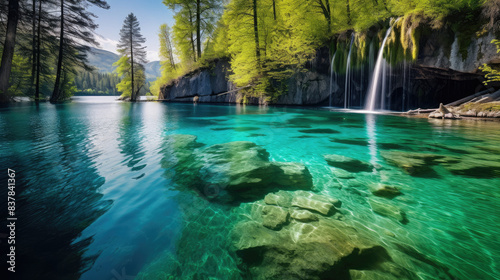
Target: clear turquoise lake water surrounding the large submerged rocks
<point>101,197</point>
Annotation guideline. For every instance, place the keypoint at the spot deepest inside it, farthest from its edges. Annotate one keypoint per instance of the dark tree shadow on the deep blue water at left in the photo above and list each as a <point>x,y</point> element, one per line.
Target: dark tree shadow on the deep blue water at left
<point>57,191</point>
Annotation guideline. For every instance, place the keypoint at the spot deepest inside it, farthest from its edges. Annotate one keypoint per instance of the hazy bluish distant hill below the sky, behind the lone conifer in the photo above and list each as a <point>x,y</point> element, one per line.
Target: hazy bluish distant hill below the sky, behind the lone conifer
<point>103,61</point>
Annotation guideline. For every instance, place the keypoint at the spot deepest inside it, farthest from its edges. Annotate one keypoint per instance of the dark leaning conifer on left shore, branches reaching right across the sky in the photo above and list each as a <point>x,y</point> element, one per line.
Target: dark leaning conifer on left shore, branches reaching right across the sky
<point>76,26</point>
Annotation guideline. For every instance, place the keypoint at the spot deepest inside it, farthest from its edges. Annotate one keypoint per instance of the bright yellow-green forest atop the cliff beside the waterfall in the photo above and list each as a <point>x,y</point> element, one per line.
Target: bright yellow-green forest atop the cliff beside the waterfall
<point>267,41</point>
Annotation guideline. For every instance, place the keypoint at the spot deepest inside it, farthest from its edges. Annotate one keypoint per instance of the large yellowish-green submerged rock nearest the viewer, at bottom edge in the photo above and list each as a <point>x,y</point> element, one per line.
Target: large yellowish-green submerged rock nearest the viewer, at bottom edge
<point>309,247</point>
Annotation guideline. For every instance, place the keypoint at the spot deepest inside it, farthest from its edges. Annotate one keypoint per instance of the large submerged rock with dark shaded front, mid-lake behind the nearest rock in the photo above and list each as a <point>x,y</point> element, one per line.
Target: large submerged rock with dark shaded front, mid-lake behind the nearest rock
<point>243,171</point>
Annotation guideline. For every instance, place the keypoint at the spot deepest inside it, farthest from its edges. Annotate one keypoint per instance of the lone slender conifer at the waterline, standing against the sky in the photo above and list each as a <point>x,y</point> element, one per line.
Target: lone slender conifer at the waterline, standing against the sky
<point>133,55</point>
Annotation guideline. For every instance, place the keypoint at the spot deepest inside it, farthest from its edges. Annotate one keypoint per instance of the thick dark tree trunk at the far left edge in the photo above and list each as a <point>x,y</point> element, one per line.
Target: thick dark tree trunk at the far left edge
<point>8,50</point>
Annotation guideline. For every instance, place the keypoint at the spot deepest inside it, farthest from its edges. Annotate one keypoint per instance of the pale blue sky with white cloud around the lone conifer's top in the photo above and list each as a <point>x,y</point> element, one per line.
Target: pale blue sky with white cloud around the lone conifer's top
<point>150,13</point>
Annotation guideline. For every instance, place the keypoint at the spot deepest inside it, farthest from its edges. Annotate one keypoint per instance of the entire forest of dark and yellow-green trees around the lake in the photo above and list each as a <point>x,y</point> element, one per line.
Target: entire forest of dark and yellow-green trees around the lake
<point>266,41</point>
